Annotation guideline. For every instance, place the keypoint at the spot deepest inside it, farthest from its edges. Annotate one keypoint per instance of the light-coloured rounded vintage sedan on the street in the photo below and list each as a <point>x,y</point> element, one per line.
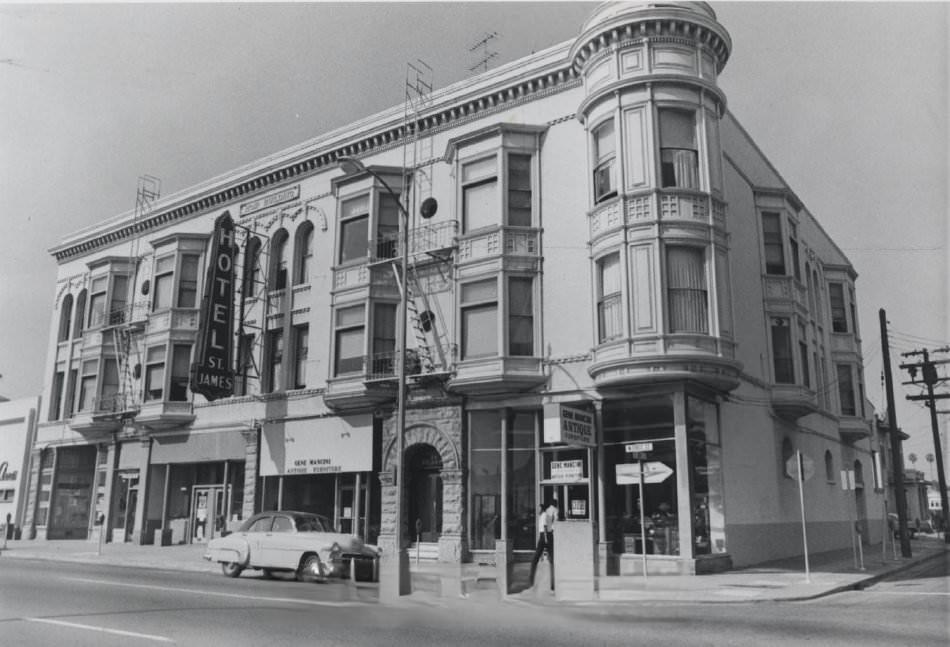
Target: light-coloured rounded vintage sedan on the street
<point>299,542</point>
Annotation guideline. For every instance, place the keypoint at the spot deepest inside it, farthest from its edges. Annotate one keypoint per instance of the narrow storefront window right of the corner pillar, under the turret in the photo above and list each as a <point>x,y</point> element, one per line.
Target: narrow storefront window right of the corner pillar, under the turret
<point>705,459</point>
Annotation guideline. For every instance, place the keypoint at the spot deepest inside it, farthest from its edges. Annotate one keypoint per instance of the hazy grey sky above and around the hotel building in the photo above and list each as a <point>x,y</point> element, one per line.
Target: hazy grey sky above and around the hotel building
<point>848,100</point>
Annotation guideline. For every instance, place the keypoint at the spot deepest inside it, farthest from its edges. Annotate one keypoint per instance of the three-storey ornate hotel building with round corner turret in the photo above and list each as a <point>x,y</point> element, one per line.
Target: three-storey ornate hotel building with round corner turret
<point>610,245</point>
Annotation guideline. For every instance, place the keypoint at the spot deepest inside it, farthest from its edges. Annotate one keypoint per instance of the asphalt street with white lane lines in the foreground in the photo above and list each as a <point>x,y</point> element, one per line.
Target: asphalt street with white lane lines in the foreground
<point>46,603</point>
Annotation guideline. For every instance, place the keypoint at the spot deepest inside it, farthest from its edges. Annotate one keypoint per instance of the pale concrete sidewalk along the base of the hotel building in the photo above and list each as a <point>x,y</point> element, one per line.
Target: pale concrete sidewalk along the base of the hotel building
<point>781,580</point>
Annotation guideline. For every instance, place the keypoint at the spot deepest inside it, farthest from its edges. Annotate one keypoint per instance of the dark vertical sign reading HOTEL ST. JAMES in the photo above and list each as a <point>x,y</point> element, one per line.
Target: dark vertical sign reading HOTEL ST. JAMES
<point>211,372</point>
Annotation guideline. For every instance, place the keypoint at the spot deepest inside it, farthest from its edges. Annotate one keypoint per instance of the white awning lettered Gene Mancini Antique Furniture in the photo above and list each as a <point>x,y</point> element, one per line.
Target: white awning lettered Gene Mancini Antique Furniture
<point>318,446</point>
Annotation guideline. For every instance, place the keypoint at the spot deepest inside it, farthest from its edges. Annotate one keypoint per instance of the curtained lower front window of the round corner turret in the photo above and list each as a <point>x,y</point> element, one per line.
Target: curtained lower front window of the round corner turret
<point>687,292</point>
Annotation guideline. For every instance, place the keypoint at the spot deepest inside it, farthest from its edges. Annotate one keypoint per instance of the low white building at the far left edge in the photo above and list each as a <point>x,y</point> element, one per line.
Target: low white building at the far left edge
<point>18,420</point>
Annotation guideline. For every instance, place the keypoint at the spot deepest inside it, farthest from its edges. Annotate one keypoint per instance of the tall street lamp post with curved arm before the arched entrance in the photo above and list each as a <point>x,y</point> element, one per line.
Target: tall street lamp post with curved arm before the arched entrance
<point>394,576</point>
